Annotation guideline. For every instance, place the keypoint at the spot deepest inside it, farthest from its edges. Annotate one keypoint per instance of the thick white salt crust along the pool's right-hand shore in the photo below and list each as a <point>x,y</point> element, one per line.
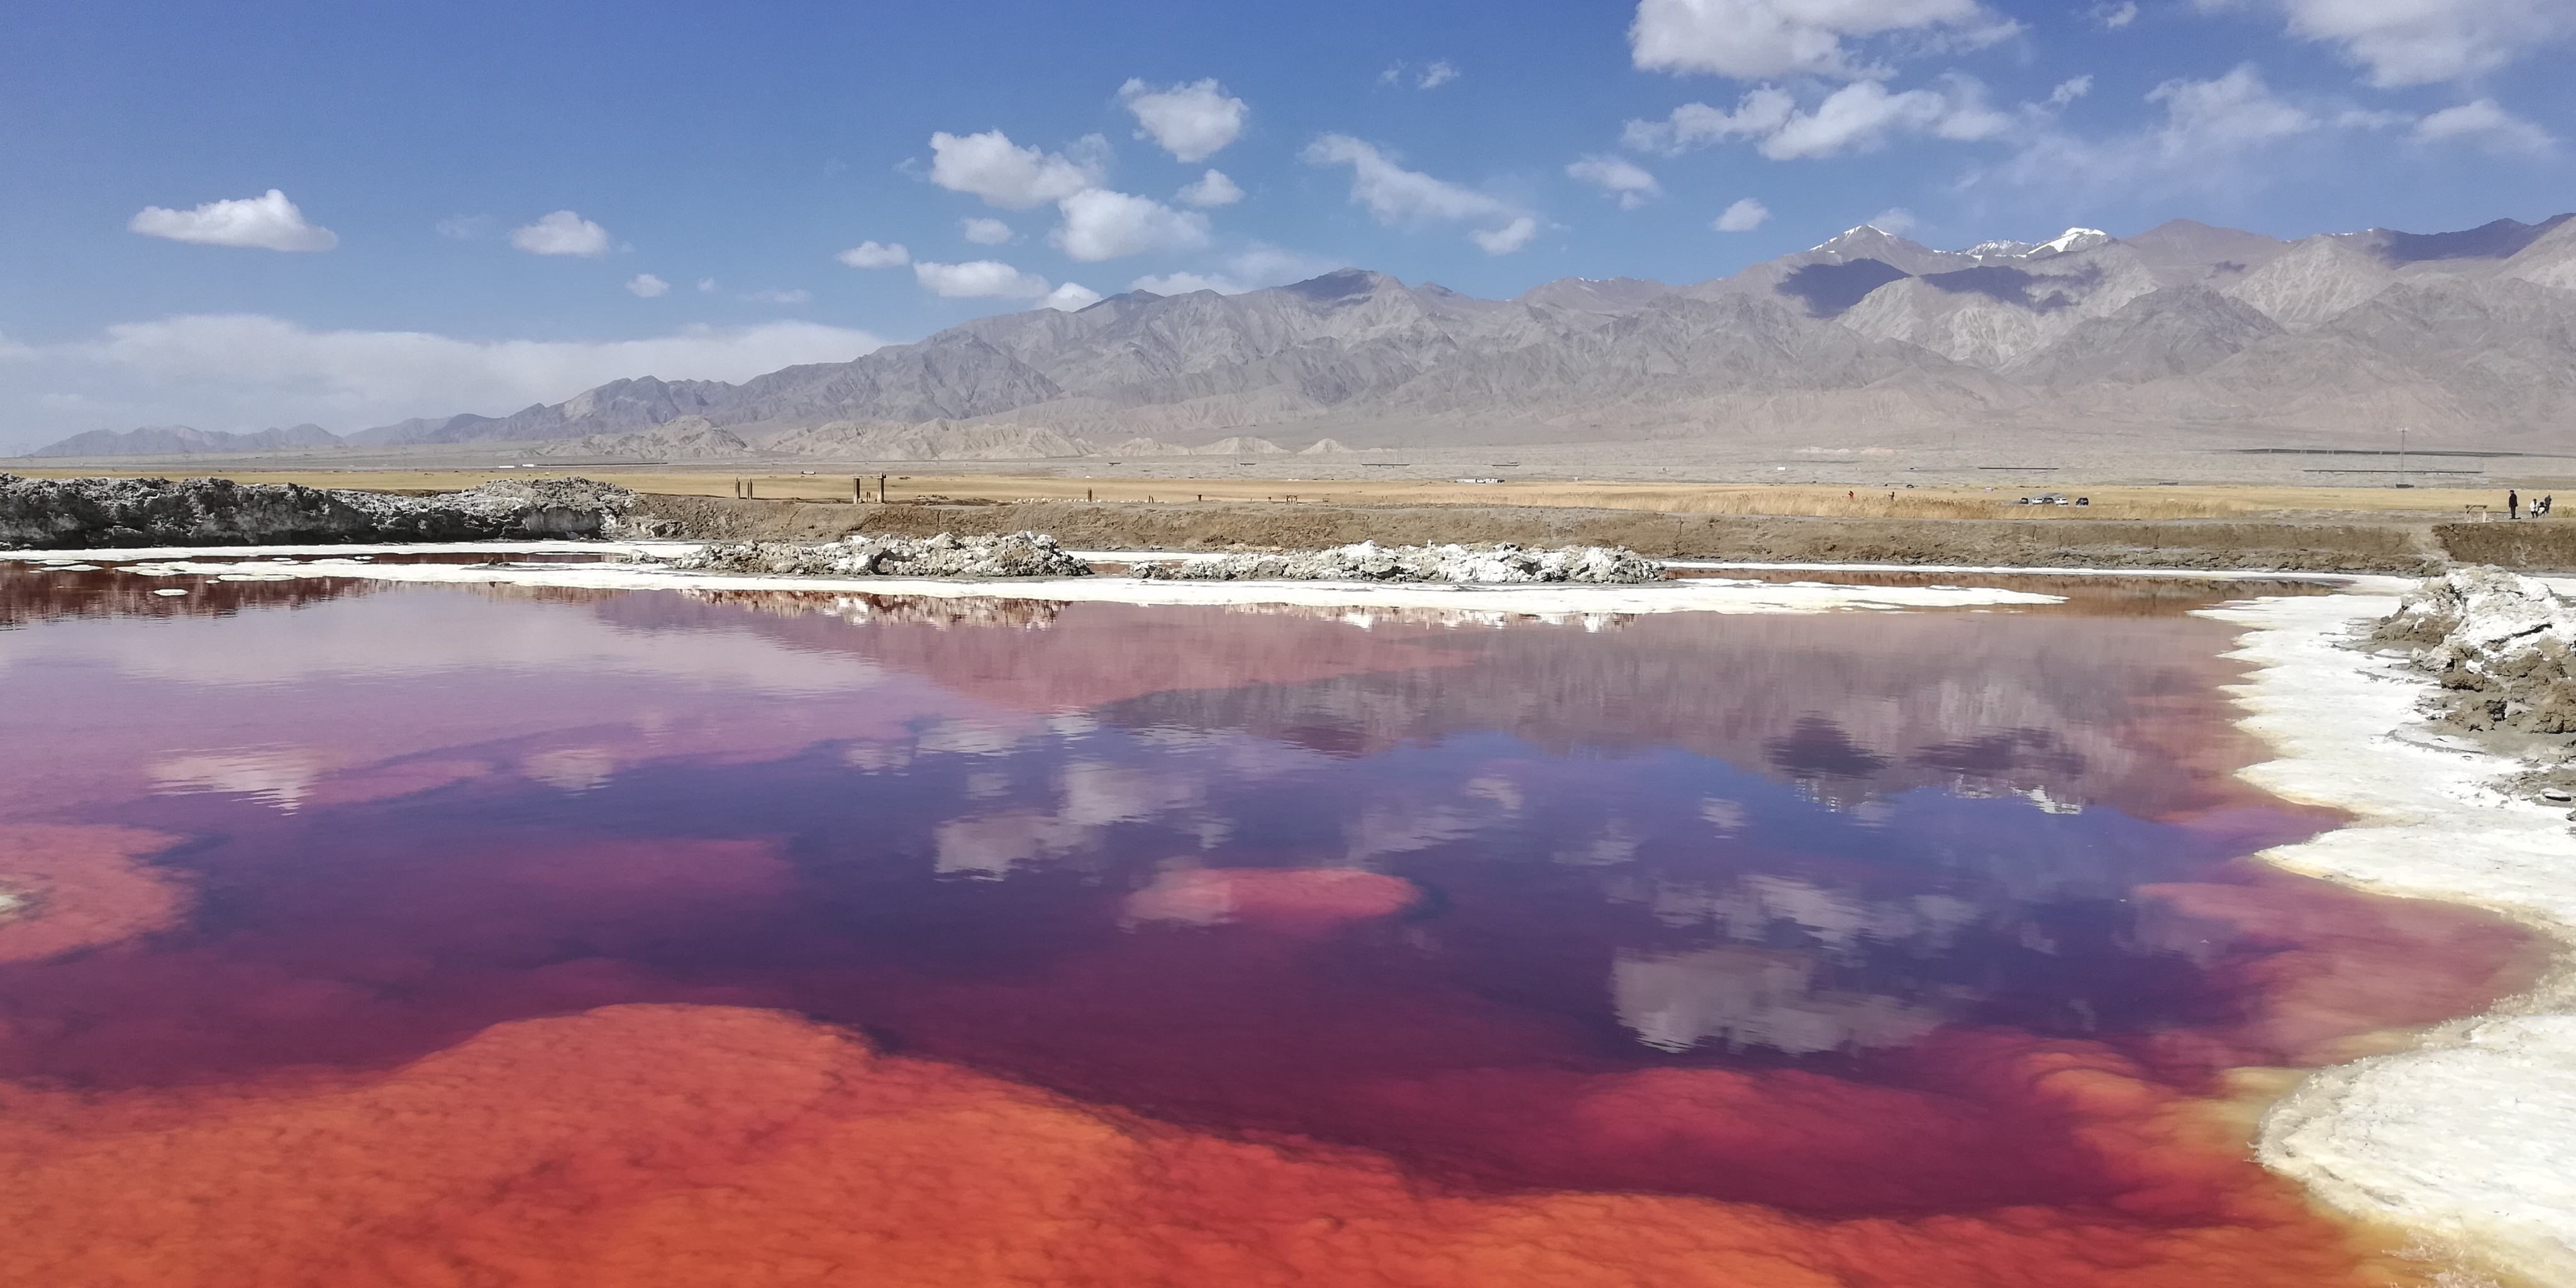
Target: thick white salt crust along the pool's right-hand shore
<point>2472,1137</point>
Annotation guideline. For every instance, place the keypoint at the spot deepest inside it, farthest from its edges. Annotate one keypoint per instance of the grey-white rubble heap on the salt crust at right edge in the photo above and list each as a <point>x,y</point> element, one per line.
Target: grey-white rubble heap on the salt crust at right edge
<point>2497,643</point>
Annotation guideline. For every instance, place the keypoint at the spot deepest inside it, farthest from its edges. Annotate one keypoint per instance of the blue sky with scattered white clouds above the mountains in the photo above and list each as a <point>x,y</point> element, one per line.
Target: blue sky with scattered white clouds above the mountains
<point>478,202</point>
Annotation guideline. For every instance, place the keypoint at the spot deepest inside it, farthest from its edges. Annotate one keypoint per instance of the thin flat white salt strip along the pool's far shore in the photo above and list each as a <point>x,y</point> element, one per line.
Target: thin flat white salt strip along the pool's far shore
<point>650,573</point>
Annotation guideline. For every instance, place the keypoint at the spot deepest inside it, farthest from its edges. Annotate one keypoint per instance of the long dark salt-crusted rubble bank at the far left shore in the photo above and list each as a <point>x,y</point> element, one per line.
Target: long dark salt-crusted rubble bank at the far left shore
<point>86,514</point>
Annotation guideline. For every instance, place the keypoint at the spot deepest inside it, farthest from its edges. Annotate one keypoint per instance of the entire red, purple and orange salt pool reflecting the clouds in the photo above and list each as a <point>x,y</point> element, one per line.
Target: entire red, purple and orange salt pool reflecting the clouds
<point>442,936</point>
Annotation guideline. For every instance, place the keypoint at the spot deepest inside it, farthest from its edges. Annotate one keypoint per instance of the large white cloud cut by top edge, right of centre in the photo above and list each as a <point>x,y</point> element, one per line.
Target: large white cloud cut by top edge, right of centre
<point>1750,40</point>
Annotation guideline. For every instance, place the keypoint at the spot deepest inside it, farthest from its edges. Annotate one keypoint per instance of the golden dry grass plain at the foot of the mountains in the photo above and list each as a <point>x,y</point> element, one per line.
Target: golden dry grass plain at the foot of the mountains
<point>1691,498</point>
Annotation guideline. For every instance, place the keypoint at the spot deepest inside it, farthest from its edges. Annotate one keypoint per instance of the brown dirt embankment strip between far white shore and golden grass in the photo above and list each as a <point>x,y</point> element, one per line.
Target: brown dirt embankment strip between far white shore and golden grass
<point>2011,542</point>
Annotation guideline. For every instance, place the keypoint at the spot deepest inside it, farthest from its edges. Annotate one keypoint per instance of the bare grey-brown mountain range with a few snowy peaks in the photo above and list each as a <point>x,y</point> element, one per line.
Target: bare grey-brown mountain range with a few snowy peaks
<point>2186,331</point>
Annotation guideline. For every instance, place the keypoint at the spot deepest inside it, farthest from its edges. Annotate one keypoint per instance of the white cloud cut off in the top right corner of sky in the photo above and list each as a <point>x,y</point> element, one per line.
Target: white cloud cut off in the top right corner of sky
<point>2420,43</point>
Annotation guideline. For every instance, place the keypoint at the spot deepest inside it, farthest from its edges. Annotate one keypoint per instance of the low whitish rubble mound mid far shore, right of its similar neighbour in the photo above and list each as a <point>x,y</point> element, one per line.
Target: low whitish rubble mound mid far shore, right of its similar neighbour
<point>1467,565</point>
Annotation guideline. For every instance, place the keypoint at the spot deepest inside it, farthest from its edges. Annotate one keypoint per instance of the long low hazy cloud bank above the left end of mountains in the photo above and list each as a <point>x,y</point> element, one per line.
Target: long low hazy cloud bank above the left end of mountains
<point>254,372</point>
